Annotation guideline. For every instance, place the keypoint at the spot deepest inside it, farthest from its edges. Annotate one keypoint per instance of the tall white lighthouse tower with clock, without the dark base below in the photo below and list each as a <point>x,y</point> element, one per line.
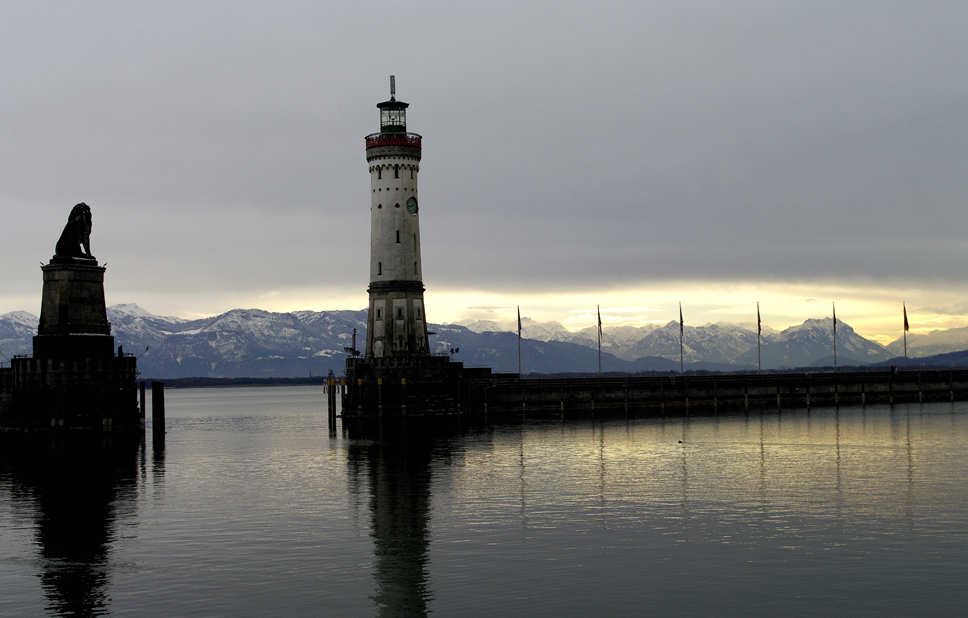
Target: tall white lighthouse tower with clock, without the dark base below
<point>396,325</point>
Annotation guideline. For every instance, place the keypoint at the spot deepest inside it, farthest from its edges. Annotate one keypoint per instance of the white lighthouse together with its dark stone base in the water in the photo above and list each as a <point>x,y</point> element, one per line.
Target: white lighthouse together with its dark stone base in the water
<point>398,375</point>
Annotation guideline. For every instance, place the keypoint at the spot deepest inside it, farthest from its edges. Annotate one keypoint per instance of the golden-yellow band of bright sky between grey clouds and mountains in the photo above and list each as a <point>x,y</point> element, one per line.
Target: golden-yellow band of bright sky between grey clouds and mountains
<point>875,313</point>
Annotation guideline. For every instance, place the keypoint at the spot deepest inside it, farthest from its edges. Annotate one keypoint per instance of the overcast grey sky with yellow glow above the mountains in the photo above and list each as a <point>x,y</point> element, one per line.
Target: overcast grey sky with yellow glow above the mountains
<point>623,155</point>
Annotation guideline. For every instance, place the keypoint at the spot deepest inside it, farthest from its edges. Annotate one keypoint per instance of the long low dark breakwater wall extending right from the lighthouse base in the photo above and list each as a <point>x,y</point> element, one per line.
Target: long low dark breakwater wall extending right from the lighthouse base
<point>673,395</point>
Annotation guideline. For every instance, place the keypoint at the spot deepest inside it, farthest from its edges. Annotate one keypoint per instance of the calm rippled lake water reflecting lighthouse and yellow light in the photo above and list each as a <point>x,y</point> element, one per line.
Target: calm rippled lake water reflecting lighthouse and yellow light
<point>254,508</point>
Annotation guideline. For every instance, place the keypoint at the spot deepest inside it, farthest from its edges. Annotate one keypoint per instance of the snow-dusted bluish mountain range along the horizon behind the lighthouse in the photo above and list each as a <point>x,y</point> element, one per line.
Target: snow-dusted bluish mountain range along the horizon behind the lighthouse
<point>257,343</point>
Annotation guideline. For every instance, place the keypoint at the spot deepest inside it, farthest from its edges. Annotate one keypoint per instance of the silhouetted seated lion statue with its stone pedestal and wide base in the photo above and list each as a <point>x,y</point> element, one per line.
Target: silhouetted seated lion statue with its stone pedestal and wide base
<point>74,380</point>
